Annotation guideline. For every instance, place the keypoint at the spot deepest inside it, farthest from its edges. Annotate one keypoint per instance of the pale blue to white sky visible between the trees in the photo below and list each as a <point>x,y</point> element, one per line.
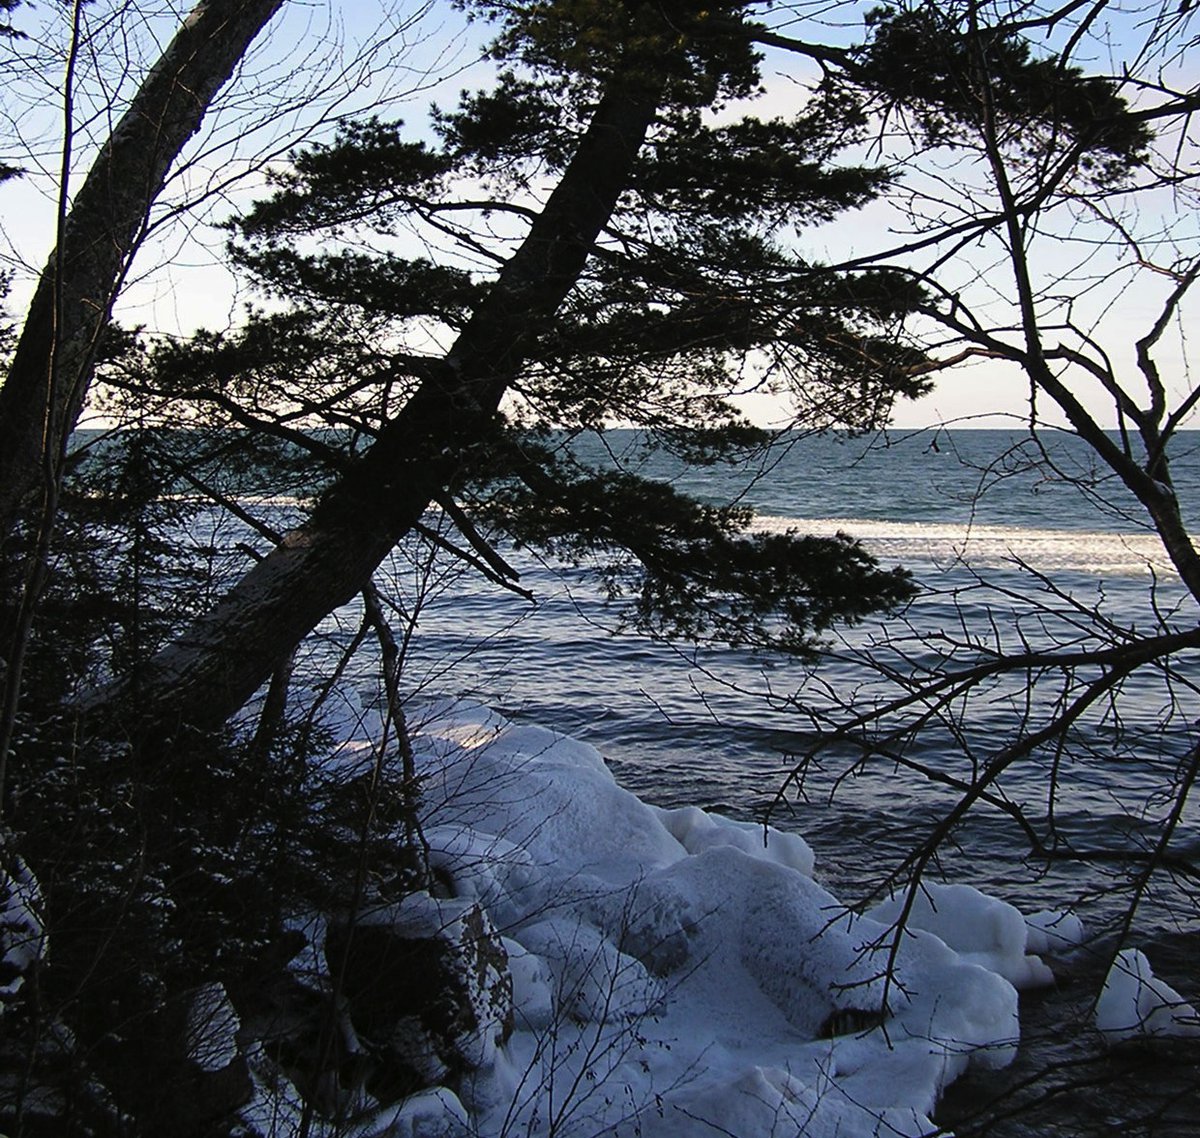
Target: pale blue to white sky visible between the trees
<point>317,63</point>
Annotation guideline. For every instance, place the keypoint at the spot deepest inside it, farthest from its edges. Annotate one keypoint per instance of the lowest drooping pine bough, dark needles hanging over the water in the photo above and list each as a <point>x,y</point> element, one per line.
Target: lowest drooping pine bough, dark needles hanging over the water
<point>691,571</point>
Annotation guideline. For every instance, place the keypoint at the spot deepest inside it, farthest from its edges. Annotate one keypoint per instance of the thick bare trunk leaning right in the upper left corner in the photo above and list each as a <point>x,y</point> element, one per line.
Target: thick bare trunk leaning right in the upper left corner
<point>53,363</point>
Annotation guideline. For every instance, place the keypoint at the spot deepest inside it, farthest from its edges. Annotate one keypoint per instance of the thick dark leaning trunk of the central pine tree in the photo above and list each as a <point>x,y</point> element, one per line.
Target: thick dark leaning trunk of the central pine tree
<point>213,669</point>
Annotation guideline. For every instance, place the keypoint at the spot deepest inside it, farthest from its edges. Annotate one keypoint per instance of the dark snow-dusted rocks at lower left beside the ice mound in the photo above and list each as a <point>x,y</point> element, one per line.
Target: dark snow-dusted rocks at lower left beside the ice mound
<point>405,1002</point>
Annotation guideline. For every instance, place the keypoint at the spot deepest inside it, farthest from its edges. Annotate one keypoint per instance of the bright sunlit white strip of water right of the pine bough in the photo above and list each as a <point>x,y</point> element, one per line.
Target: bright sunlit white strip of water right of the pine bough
<point>1105,554</point>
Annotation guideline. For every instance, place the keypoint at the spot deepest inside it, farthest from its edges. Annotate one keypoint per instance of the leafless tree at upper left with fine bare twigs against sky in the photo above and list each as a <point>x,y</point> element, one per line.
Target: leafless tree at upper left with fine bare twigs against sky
<point>183,142</point>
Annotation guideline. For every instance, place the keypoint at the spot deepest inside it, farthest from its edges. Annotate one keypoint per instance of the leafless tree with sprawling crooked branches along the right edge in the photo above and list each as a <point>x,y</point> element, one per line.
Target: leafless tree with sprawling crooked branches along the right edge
<point>1077,249</point>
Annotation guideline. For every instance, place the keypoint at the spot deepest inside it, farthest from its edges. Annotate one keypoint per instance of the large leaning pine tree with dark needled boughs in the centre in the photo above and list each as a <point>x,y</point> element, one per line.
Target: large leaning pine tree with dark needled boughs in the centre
<point>635,292</point>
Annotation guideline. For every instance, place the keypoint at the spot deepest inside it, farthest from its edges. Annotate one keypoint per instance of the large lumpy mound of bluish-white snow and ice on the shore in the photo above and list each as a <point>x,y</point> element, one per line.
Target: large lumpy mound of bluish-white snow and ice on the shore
<point>679,974</point>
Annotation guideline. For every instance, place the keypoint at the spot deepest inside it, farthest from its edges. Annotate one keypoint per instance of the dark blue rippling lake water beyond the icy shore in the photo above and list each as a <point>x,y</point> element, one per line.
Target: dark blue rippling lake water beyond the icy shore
<point>1007,556</point>
